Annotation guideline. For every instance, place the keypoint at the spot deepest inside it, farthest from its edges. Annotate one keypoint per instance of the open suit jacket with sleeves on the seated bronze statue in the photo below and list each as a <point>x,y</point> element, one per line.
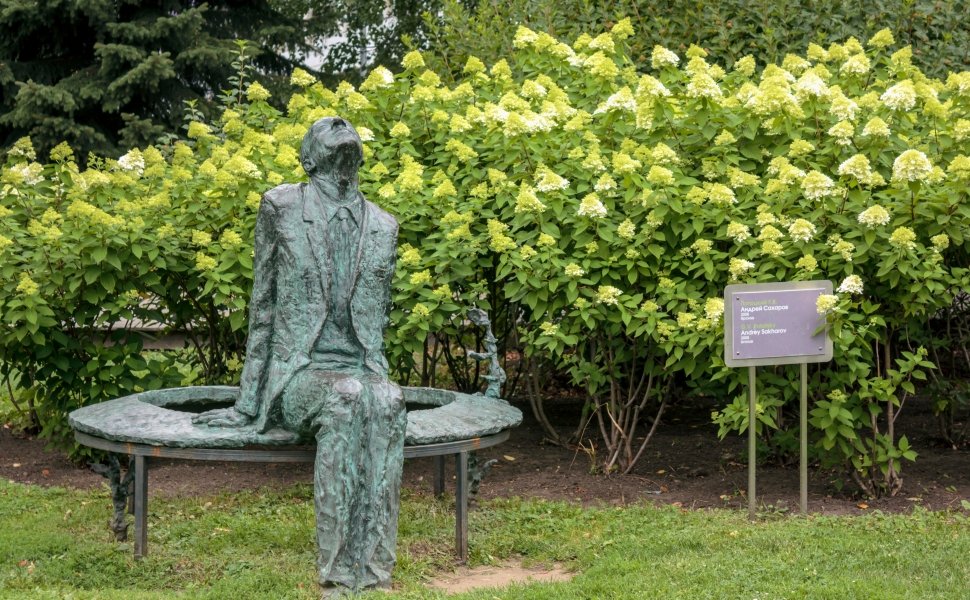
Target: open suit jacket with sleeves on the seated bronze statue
<point>291,292</point>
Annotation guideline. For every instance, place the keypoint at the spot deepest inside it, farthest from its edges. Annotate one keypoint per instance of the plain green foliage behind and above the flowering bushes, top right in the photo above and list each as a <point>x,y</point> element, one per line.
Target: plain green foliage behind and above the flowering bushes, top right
<point>938,30</point>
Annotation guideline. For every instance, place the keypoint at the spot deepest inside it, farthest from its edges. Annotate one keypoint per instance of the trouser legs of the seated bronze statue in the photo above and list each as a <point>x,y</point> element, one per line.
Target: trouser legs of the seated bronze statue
<point>359,423</point>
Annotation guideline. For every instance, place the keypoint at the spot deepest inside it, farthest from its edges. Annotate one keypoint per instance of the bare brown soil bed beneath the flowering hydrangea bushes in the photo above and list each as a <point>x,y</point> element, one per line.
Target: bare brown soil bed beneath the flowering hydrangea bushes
<point>685,465</point>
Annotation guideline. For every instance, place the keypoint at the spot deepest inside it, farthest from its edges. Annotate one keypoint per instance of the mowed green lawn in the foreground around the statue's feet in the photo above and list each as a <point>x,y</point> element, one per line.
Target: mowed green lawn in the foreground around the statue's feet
<point>54,543</point>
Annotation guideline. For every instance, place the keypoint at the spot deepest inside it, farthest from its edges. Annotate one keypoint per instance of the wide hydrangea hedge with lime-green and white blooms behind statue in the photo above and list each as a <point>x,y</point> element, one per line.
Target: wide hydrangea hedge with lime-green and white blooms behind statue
<point>595,209</point>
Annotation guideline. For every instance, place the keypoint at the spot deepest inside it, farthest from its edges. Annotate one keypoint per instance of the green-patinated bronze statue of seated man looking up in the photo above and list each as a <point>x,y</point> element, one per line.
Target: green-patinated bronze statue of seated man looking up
<point>315,364</point>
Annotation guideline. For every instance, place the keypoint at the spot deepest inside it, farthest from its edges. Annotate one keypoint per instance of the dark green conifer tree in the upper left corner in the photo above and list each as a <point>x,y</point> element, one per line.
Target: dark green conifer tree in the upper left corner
<point>107,75</point>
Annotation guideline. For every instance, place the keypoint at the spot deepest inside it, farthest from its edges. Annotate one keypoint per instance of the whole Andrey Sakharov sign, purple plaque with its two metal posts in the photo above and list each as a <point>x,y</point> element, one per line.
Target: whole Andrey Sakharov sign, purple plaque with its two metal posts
<point>776,324</point>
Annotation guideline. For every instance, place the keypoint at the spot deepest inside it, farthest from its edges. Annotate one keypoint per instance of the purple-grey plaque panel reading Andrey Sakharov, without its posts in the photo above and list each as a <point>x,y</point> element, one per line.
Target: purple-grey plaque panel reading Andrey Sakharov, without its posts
<point>775,323</point>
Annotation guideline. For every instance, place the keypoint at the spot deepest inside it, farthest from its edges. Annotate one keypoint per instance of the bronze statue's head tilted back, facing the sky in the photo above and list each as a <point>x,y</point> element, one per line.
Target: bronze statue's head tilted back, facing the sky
<point>332,149</point>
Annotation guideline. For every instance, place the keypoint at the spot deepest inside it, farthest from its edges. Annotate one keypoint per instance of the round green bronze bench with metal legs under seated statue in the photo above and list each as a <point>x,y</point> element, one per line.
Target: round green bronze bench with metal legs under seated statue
<point>158,424</point>
